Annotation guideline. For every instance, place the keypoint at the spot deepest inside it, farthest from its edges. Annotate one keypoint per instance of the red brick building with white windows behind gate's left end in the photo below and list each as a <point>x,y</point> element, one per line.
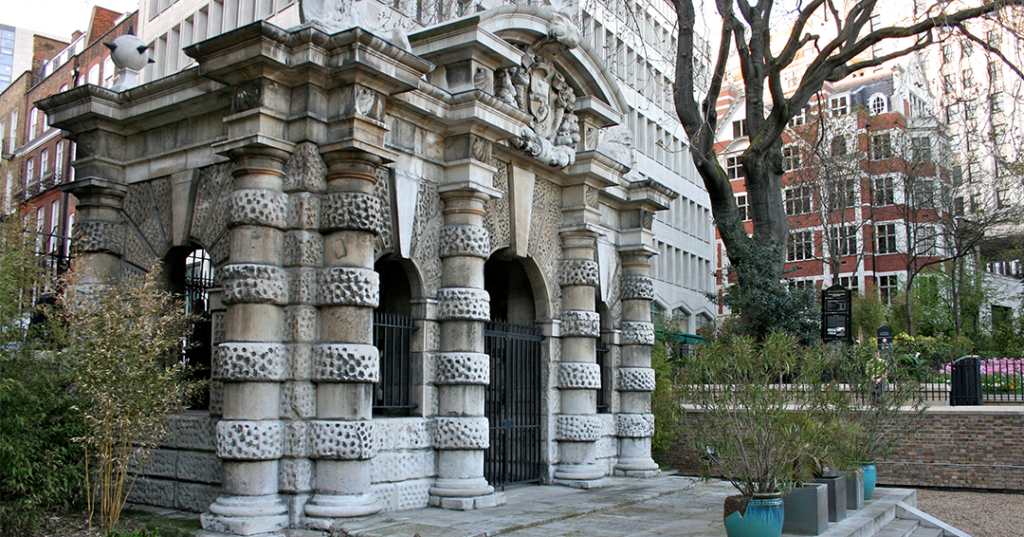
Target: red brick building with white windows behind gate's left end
<point>41,159</point>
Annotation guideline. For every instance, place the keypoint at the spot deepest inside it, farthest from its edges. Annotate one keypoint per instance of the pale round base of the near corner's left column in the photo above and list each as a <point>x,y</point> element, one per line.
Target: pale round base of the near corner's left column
<point>247,515</point>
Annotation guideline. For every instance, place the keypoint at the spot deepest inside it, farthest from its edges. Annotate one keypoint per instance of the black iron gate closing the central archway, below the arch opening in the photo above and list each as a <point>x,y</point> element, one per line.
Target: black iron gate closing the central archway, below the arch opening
<point>514,404</point>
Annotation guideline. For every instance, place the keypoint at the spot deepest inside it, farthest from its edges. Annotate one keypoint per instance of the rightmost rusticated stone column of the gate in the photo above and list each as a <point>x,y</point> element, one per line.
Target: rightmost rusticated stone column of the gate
<point>635,379</point>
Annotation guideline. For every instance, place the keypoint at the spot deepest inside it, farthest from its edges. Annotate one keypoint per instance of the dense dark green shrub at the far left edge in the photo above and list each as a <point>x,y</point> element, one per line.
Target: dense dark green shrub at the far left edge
<point>41,466</point>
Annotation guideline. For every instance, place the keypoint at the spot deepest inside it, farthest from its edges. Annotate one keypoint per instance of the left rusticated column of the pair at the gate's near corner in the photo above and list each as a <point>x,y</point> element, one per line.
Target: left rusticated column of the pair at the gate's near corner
<point>251,361</point>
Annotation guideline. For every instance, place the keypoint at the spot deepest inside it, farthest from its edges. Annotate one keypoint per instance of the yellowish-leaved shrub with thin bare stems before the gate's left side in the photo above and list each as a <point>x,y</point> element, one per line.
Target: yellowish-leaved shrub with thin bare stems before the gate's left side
<point>125,344</point>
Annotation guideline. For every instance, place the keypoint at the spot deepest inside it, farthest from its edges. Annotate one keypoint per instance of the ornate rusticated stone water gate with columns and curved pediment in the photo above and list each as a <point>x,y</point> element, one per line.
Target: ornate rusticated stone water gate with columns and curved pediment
<point>473,172</point>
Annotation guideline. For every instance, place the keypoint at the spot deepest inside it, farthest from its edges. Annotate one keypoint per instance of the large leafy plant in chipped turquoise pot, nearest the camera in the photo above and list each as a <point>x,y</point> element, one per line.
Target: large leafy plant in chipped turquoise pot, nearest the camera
<point>758,427</point>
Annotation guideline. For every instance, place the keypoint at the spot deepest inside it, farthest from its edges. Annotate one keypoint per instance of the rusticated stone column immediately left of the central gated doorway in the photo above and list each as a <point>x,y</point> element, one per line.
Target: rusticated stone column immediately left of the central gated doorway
<point>463,370</point>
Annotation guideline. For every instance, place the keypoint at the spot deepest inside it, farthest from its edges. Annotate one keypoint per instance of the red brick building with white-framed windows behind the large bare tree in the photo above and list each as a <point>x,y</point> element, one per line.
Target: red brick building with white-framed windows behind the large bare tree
<point>867,184</point>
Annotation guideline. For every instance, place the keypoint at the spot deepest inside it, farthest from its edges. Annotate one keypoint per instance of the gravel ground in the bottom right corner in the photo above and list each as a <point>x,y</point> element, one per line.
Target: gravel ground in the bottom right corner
<point>978,514</point>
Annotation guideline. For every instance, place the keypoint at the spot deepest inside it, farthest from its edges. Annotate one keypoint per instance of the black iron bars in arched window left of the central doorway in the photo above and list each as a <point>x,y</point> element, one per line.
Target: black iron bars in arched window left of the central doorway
<point>393,338</point>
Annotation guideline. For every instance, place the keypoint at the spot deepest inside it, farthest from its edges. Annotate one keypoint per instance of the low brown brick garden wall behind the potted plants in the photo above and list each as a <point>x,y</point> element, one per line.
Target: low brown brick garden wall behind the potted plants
<point>957,447</point>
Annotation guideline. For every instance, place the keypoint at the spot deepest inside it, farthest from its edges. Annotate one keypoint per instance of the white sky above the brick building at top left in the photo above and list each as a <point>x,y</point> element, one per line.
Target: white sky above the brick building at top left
<point>58,18</point>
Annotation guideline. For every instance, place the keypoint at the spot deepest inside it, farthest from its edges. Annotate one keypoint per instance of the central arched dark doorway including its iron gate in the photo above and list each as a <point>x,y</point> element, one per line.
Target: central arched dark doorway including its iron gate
<point>513,402</point>
